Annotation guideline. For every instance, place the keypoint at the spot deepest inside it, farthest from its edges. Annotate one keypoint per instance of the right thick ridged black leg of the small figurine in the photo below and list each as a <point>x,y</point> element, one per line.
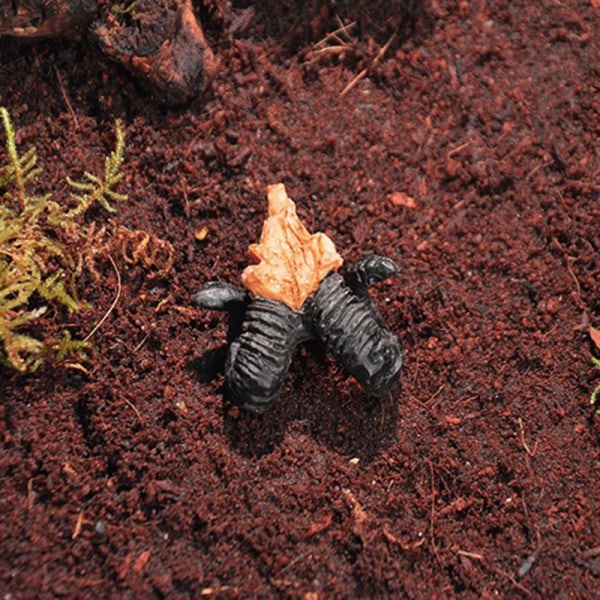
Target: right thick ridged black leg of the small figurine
<point>354,334</point>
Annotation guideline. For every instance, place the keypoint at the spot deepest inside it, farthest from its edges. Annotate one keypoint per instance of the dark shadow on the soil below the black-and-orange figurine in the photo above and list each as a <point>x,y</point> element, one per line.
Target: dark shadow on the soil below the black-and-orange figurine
<point>345,418</point>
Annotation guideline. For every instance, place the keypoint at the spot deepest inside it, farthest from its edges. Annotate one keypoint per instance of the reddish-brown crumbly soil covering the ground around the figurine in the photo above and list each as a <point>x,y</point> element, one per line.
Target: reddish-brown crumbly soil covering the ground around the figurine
<point>479,475</point>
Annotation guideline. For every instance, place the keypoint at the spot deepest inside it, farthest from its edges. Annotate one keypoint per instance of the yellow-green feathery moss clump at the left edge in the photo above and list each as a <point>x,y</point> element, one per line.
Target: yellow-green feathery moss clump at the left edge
<point>39,238</point>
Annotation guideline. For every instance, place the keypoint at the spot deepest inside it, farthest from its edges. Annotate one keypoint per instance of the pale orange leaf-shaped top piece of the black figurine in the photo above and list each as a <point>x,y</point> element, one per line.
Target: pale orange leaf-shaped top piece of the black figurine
<point>291,262</point>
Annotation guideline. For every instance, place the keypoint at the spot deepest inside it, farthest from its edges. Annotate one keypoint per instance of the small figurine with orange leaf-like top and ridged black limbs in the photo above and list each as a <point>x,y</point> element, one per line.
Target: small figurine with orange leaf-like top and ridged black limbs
<point>293,294</point>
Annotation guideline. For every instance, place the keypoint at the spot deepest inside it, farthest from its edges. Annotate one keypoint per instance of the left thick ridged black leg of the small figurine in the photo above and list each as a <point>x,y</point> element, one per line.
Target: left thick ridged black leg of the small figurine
<point>260,357</point>
